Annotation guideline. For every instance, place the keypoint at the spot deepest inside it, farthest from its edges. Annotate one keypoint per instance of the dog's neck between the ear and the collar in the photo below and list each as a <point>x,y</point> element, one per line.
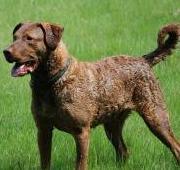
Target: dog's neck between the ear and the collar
<point>56,63</point>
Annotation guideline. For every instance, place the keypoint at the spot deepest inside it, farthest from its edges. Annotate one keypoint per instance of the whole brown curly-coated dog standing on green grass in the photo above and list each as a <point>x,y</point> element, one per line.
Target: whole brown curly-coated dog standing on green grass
<point>74,96</point>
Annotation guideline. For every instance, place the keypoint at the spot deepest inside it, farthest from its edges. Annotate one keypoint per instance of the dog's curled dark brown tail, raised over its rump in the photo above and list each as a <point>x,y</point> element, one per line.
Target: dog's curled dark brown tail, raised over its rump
<point>165,45</point>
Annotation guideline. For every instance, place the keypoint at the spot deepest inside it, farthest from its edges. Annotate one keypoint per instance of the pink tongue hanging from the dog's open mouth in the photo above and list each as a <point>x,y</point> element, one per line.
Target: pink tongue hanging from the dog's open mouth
<point>20,70</point>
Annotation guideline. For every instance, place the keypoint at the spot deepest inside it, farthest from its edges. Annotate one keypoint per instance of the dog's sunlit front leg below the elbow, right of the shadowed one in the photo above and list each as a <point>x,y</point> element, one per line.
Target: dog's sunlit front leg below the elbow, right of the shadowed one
<point>82,147</point>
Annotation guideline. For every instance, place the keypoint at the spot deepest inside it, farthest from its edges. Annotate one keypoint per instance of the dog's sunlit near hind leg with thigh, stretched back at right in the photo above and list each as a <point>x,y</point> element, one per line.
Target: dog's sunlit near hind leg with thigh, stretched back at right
<point>150,104</point>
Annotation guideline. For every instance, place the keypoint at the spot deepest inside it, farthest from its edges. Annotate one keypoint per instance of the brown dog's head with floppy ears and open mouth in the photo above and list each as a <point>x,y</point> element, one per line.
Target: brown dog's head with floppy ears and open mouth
<point>31,44</point>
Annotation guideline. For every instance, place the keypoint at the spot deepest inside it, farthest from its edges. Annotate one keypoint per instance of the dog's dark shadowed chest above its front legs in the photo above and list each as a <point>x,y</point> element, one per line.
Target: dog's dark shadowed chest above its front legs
<point>56,108</point>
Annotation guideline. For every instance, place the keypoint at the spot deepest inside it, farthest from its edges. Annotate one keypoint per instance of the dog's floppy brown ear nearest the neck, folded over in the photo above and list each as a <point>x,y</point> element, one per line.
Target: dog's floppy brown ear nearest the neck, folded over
<point>52,34</point>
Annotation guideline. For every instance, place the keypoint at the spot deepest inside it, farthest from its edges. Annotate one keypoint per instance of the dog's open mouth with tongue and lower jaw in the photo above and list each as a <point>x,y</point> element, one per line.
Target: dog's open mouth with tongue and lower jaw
<point>21,69</point>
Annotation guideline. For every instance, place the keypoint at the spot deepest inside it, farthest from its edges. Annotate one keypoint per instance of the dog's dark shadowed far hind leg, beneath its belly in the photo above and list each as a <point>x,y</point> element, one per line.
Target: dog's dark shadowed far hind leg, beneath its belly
<point>113,129</point>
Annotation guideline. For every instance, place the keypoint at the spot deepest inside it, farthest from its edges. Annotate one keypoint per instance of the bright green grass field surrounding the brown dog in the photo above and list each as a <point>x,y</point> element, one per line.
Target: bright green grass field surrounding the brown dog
<point>93,29</point>
